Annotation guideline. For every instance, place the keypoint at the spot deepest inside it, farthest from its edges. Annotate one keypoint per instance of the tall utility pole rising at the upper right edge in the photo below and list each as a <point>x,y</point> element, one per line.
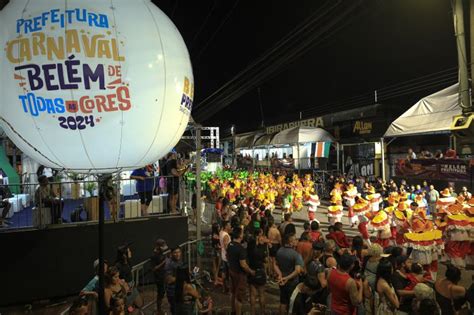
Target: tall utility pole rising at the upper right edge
<point>458,17</point>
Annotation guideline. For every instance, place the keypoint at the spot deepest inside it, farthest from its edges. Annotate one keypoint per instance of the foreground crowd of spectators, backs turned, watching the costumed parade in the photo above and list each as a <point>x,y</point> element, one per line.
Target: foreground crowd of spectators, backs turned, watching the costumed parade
<point>321,272</point>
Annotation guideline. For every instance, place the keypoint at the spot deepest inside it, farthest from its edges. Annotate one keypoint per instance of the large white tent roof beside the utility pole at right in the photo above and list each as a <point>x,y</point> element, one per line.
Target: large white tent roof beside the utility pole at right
<point>431,114</point>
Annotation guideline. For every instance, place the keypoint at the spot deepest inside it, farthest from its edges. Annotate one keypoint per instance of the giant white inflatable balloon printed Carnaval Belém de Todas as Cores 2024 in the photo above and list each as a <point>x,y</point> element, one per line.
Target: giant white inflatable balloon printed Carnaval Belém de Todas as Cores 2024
<point>93,85</point>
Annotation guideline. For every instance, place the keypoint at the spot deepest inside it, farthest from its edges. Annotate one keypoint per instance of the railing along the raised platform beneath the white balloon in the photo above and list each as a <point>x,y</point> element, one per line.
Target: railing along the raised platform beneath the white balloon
<point>77,202</point>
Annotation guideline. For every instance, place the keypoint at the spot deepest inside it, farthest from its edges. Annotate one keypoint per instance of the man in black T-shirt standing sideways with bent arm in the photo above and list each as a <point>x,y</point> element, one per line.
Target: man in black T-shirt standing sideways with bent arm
<point>238,269</point>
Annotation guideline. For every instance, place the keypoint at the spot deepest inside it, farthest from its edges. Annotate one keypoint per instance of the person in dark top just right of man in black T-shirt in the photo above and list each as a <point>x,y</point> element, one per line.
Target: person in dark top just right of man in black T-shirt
<point>257,256</point>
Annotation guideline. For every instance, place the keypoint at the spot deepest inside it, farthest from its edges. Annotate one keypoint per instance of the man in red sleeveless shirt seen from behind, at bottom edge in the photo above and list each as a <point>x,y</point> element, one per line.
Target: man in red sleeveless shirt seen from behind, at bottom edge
<point>346,292</point>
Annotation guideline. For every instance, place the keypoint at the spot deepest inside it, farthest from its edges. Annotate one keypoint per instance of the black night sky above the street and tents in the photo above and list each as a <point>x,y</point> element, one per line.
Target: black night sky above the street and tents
<point>381,43</point>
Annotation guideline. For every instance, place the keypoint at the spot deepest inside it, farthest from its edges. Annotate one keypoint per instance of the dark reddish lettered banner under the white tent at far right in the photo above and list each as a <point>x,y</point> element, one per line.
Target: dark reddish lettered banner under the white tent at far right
<point>459,170</point>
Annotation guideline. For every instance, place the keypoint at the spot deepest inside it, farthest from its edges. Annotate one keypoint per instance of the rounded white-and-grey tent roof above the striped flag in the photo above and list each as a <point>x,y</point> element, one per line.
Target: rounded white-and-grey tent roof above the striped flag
<point>301,134</point>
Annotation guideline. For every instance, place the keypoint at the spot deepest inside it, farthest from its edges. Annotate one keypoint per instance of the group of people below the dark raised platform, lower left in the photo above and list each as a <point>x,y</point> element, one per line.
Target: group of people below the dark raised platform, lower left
<point>171,275</point>
